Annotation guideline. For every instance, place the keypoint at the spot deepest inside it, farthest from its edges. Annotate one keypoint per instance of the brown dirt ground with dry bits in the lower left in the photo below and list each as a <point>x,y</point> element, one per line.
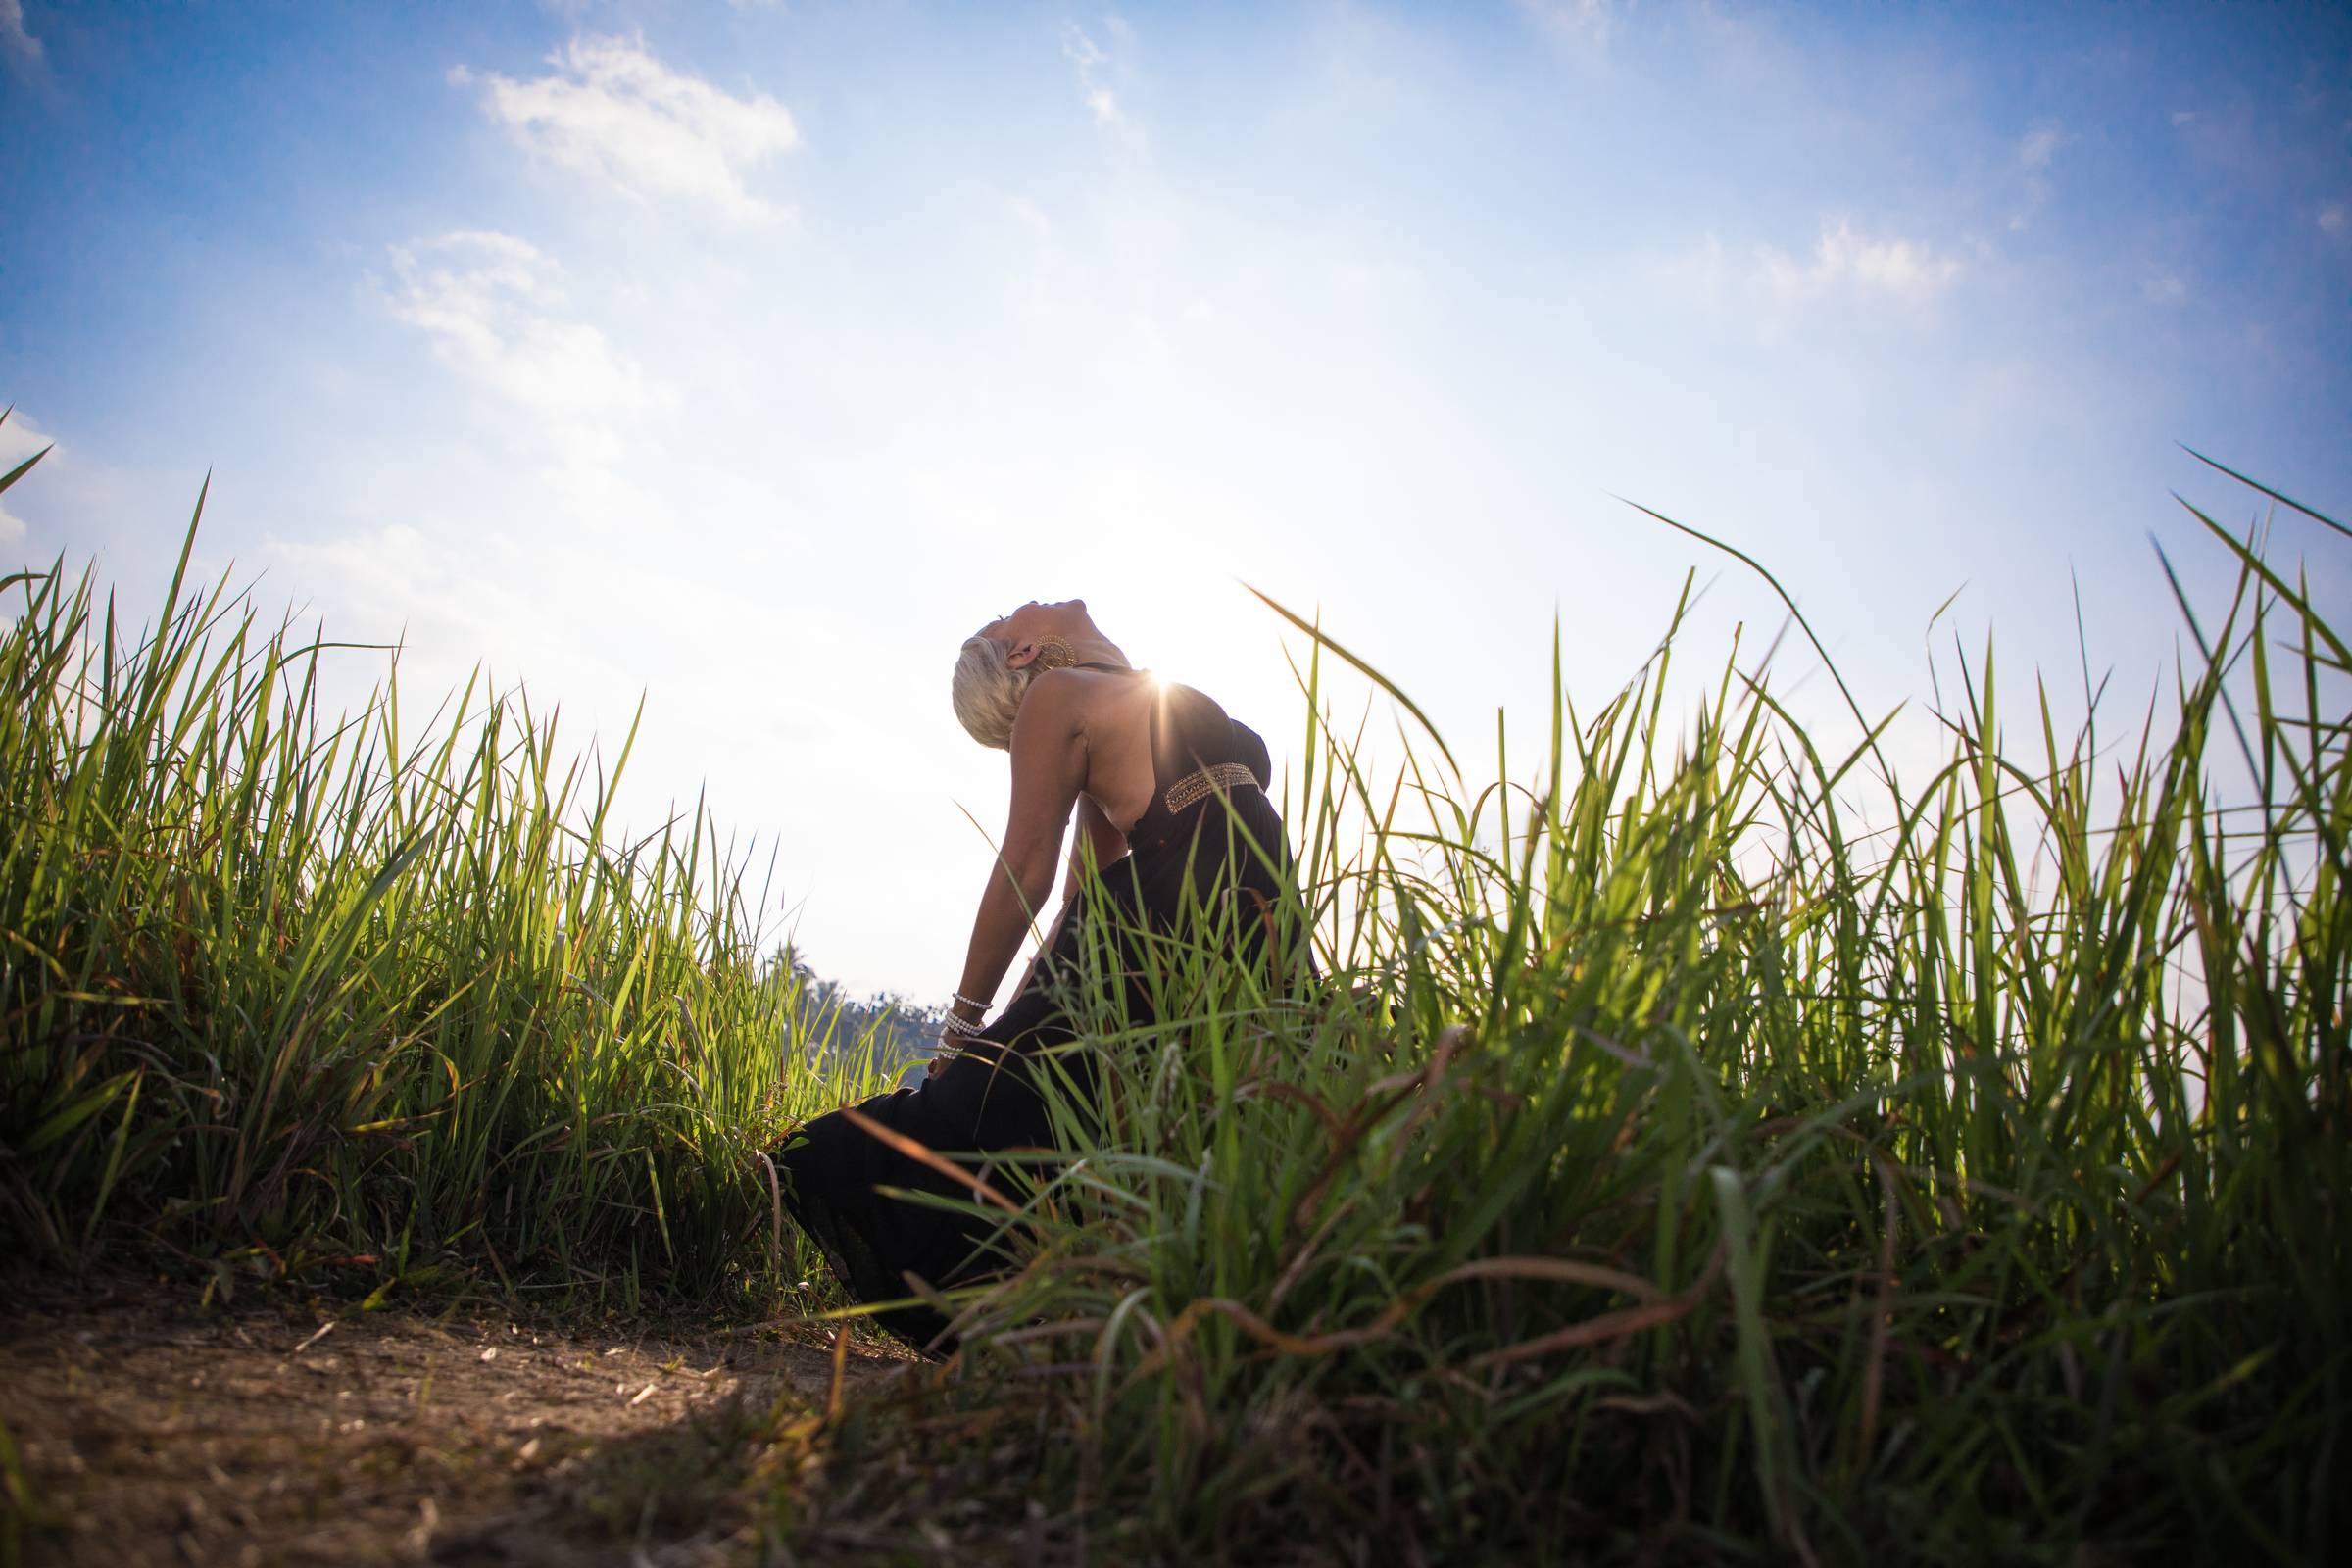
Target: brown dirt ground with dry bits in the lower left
<point>156,1430</point>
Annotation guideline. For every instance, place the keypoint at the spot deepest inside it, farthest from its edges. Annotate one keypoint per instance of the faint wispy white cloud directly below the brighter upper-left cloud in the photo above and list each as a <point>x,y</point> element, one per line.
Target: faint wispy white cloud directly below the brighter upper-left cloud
<point>495,311</point>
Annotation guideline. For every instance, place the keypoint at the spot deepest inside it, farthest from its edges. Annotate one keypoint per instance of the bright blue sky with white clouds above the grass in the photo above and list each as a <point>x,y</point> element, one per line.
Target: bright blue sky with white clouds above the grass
<point>747,356</point>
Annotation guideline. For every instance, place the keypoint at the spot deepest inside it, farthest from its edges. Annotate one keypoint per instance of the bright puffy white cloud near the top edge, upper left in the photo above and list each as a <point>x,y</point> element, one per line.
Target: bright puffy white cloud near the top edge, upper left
<point>617,114</point>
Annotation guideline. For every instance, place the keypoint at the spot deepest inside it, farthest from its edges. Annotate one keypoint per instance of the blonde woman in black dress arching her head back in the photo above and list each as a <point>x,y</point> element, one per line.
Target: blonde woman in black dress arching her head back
<point>1184,845</point>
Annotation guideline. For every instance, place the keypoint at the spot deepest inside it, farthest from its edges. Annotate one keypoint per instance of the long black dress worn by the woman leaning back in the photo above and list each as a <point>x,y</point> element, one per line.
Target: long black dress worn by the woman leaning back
<point>1205,862</point>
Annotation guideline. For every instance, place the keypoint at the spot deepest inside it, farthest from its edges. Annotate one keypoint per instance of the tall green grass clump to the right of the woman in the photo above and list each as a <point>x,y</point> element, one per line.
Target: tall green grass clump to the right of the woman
<point>1673,1170</point>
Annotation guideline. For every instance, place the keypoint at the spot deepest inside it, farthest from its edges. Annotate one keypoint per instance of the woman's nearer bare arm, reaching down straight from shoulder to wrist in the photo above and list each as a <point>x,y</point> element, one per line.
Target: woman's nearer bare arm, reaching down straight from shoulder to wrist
<point>1050,768</point>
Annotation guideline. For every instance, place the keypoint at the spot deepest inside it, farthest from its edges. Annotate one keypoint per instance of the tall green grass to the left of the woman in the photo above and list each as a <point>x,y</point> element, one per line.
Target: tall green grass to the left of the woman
<point>377,991</point>
